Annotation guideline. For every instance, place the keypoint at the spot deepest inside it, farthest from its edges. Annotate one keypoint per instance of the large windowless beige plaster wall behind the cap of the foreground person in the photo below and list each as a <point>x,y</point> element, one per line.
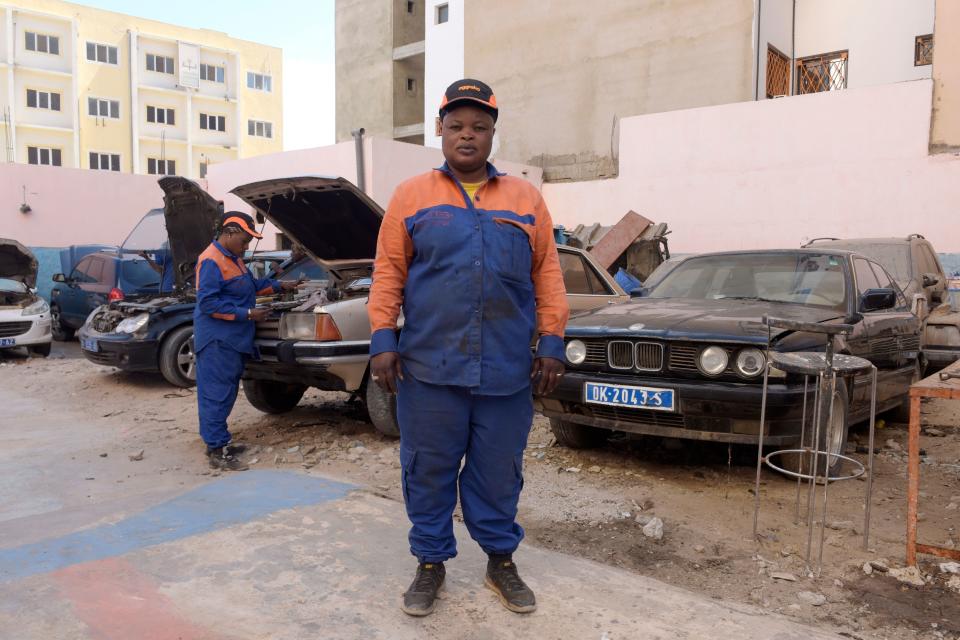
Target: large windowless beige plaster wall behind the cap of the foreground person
<point>565,72</point>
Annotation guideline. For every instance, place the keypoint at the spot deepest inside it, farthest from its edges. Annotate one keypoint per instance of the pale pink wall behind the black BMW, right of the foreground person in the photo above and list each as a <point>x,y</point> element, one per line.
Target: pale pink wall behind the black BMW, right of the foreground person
<point>776,173</point>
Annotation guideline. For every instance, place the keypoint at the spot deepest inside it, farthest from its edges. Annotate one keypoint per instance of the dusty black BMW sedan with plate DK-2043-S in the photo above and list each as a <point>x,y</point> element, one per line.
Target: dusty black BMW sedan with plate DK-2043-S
<point>687,360</point>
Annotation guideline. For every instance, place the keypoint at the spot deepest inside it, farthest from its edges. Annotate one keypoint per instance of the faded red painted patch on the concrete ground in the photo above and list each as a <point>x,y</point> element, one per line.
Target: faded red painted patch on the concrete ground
<point>117,602</point>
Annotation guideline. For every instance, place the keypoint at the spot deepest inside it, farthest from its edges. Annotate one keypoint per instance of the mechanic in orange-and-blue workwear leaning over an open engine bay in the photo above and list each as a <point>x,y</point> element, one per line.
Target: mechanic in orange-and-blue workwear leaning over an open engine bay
<point>223,329</point>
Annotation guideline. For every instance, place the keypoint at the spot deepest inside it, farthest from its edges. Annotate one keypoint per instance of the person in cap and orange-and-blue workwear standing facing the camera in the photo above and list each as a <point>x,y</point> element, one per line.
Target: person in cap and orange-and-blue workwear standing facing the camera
<point>469,254</point>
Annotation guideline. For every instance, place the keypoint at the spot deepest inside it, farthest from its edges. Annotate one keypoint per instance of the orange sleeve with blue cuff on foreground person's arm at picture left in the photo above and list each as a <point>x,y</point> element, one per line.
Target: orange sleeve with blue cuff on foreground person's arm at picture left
<point>394,252</point>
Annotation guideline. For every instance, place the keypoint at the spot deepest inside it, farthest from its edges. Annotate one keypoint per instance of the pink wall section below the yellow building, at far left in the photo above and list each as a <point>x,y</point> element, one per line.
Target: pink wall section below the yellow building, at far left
<point>73,206</point>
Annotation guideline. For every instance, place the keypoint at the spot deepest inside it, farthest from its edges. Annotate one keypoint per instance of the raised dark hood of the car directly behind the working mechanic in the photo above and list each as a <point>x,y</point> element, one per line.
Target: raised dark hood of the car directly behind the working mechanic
<point>191,216</point>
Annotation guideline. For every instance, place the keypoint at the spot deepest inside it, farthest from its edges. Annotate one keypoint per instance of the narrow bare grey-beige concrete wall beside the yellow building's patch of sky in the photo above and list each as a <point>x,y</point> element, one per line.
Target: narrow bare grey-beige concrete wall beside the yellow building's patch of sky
<point>364,67</point>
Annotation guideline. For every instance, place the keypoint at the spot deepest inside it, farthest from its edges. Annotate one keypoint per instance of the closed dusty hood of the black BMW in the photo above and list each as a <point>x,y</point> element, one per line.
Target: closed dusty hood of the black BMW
<point>685,319</point>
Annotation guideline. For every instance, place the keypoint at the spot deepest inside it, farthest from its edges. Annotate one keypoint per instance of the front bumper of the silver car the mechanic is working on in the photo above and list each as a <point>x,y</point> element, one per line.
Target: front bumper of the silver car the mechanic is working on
<point>332,366</point>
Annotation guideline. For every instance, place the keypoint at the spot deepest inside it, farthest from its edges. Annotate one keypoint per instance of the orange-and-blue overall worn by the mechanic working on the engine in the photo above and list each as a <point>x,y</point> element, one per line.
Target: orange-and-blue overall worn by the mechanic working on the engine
<point>222,336</point>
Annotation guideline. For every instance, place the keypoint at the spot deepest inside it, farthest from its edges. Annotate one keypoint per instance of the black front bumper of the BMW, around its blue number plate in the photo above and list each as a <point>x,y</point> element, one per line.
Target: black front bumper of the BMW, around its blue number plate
<point>706,410</point>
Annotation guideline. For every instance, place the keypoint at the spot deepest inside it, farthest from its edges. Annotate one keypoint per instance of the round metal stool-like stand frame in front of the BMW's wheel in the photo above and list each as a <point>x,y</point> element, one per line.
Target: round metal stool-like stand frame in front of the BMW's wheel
<point>826,367</point>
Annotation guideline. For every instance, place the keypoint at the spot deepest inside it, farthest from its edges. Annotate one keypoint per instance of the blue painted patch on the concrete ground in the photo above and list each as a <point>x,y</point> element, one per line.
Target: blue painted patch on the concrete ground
<point>235,499</point>
